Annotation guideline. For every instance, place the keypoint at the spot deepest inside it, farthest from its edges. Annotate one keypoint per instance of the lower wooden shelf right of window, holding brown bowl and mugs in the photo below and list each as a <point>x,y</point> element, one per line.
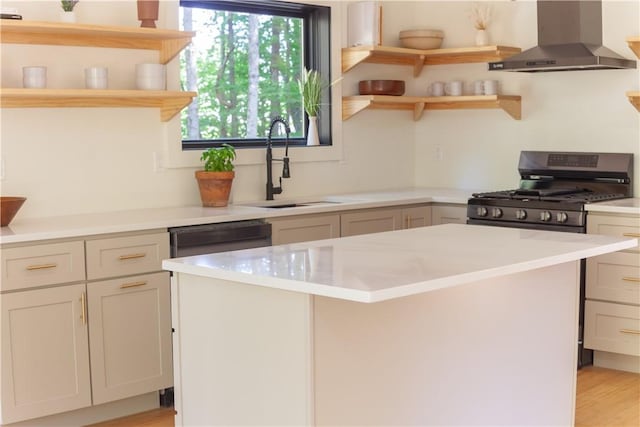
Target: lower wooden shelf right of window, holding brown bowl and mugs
<point>352,105</point>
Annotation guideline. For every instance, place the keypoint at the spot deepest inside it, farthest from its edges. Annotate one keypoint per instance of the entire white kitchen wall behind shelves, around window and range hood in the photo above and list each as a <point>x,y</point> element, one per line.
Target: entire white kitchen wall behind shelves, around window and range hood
<point>69,161</point>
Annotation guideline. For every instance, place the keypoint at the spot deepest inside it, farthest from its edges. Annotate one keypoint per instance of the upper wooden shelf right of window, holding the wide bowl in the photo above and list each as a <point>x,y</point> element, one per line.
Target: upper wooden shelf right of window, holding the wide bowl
<point>352,56</point>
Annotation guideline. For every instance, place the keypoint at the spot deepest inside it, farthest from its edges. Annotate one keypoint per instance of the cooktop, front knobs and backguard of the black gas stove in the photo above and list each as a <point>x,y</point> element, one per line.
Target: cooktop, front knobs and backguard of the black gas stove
<point>554,189</point>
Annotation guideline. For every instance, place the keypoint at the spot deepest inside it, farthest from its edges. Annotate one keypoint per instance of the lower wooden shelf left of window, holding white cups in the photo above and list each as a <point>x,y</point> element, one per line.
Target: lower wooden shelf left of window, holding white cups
<point>169,102</point>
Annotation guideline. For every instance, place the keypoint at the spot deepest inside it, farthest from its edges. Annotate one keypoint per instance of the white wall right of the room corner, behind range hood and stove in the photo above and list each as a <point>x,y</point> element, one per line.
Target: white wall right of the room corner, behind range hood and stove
<point>576,111</point>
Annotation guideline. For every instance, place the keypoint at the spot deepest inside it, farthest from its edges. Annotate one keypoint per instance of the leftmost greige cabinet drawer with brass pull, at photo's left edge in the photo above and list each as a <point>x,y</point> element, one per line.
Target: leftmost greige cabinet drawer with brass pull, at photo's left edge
<point>41,265</point>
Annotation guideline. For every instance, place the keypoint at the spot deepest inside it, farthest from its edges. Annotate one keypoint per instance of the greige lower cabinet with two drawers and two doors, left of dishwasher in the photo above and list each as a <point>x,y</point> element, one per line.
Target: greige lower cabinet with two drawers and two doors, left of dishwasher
<point>69,341</point>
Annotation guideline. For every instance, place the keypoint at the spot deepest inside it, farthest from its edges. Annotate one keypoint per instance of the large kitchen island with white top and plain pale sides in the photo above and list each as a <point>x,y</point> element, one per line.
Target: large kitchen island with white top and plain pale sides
<point>452,324</point>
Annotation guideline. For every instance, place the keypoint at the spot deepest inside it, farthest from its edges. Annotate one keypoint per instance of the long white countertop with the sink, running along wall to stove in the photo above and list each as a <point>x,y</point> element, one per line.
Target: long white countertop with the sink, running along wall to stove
<point>29,230</point>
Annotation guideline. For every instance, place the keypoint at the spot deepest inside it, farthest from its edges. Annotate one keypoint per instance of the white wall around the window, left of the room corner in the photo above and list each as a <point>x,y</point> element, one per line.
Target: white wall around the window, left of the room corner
<point>70,161</point>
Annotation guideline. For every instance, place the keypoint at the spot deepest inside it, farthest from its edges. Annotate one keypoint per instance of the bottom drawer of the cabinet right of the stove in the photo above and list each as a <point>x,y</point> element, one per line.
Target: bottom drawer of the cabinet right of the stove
<point>612,327</point>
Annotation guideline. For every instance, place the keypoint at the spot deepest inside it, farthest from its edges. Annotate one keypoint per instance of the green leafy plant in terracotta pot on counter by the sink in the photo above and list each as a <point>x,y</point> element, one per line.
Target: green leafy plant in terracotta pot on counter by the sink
<point>215,180</point>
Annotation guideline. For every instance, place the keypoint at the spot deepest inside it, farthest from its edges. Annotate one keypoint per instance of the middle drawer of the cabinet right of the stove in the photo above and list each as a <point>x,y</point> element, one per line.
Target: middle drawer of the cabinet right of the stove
<point>614,277</point>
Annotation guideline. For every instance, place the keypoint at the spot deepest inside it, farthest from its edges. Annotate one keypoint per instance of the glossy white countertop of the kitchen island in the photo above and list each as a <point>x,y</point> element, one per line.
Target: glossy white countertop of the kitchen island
<point>380,266</point>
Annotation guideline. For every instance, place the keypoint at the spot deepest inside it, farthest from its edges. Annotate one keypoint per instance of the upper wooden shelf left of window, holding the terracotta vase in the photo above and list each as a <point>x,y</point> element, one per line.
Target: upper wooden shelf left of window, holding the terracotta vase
<point>167,42</point>
